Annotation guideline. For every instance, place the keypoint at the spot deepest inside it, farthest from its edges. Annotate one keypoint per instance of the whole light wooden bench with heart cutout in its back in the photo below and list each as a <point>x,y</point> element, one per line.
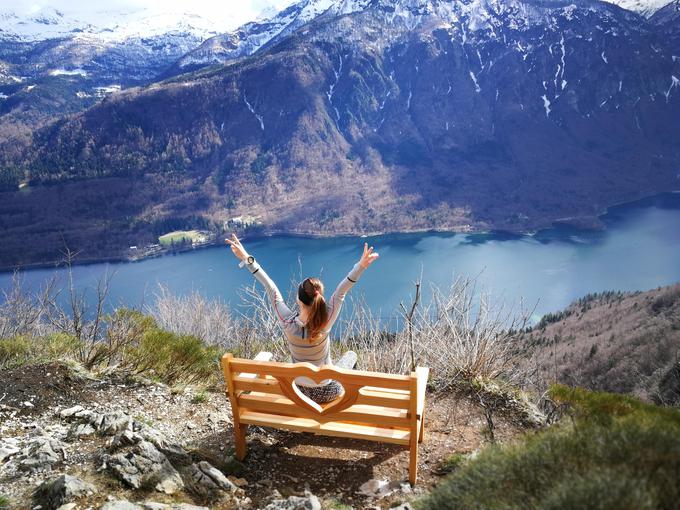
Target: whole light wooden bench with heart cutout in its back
<point>375,406</point>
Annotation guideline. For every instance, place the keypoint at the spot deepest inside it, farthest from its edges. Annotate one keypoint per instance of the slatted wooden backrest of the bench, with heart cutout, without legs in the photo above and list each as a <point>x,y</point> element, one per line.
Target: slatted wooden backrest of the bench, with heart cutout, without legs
<point>369,397</point>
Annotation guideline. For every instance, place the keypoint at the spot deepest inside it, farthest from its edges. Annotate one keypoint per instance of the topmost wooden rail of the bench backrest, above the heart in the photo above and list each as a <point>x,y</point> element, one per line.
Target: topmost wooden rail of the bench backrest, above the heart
<point>344,376</point>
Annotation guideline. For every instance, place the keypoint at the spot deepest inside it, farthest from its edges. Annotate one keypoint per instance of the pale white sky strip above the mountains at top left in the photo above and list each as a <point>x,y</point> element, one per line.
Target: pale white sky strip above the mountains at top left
<point>236,11</point>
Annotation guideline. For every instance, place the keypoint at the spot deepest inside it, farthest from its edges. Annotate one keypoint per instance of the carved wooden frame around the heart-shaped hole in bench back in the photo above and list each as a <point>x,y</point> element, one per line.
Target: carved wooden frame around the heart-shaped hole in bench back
<point>345,400</point>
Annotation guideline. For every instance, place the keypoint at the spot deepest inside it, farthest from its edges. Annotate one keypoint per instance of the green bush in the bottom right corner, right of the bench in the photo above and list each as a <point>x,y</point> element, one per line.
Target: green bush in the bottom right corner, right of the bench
<point>616,453</point>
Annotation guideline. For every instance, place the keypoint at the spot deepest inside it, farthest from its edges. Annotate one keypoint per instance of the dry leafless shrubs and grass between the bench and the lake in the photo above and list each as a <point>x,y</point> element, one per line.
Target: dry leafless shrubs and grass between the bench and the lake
<point>457,333</point>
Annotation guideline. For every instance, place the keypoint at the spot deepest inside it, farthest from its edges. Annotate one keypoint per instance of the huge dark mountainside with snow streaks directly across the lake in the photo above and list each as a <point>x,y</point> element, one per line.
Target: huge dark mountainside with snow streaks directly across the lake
<point>376,116</point>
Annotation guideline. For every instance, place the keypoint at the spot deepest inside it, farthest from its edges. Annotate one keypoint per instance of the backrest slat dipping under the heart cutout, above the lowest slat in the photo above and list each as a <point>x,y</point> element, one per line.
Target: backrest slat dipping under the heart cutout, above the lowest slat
<point>373,415</point>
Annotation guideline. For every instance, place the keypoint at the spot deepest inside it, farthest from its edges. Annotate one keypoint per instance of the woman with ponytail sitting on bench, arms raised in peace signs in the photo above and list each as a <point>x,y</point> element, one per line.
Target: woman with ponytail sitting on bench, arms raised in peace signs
<point>308,330</point>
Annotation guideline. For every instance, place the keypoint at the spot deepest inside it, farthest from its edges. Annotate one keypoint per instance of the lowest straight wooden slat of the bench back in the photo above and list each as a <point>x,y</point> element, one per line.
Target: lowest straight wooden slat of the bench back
<point>397,436</point>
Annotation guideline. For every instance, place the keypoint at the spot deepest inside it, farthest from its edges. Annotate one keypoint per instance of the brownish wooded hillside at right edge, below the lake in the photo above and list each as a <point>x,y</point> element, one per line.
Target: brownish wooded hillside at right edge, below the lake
<point>613,341</point>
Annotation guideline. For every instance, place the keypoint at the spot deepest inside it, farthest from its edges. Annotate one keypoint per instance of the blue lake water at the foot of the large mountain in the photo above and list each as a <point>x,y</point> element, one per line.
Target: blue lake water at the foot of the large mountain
<point>639,250</point>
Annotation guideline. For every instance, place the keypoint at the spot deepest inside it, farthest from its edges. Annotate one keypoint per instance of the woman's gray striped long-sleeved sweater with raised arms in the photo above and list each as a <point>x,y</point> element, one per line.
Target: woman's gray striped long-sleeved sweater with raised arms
<point>301,347</point>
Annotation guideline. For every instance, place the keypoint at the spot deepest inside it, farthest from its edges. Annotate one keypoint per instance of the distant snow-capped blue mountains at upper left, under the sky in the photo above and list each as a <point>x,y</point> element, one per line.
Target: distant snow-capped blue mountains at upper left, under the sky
<point>54,63</point>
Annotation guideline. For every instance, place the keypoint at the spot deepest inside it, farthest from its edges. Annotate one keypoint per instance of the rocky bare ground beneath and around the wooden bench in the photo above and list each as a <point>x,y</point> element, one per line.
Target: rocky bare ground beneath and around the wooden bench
<point>70,439</point>
